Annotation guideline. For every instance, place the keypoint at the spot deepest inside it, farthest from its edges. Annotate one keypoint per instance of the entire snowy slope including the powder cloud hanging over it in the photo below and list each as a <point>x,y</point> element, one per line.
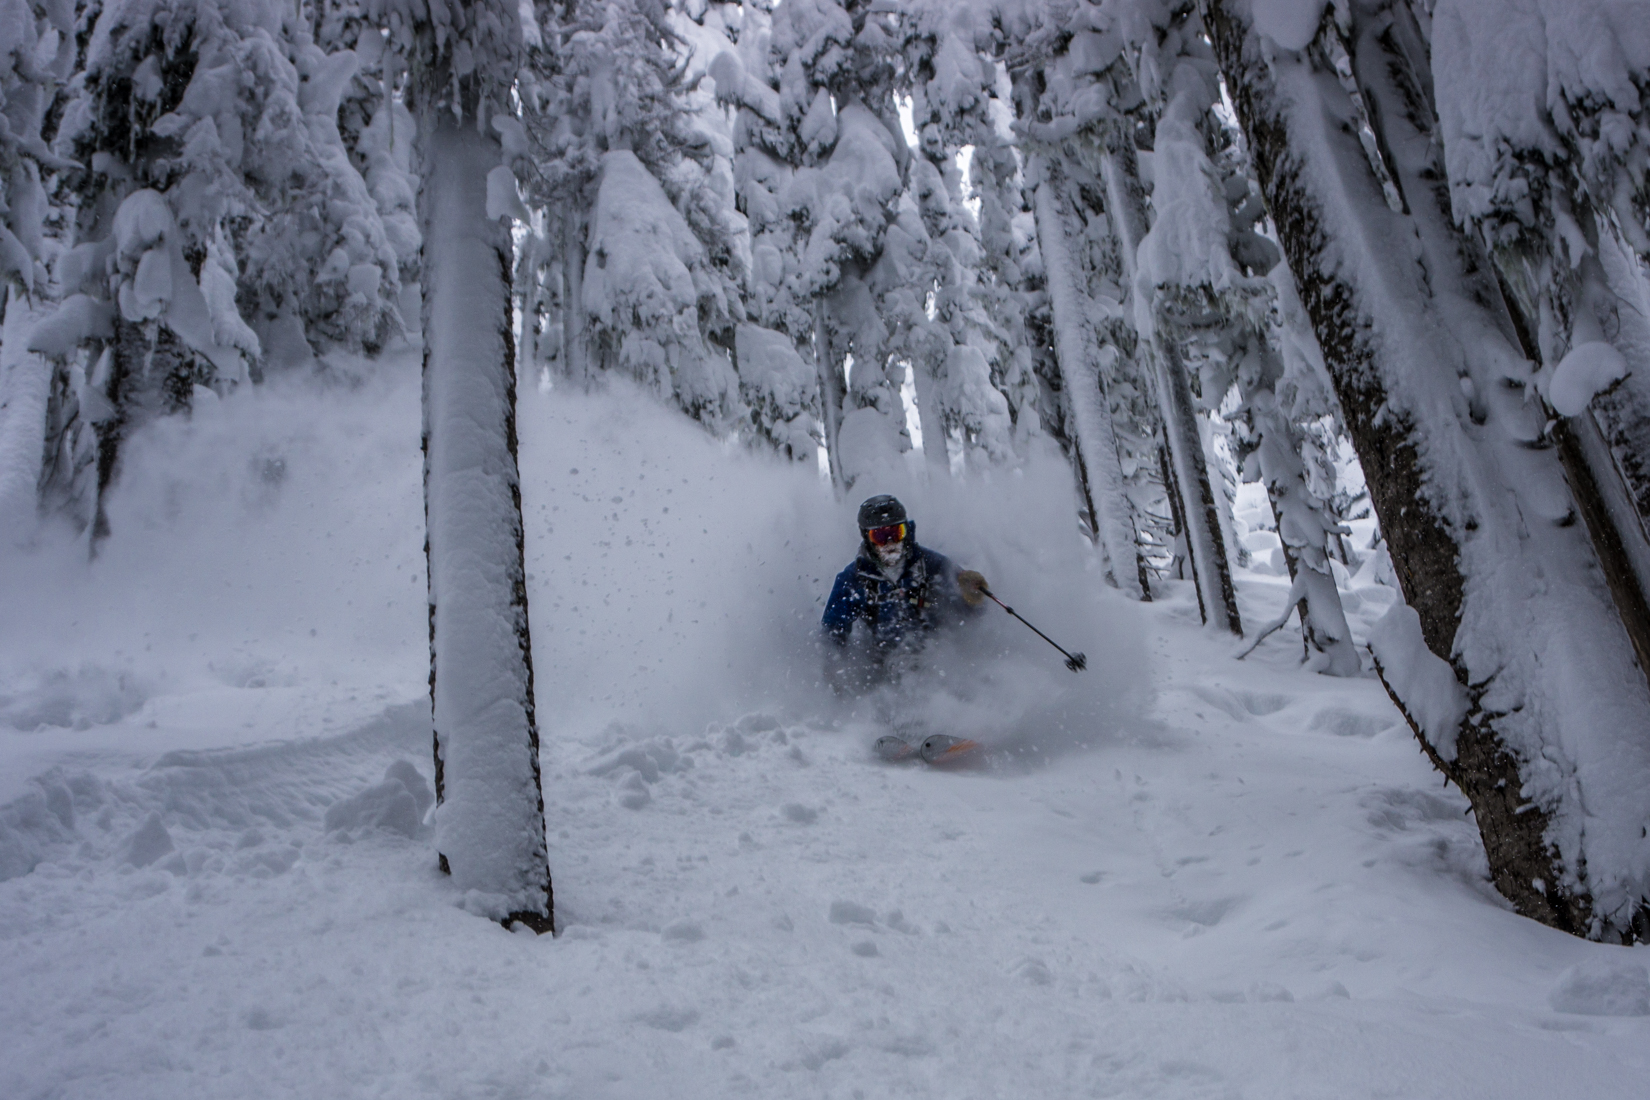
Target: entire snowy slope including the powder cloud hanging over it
<point>1179,877</point>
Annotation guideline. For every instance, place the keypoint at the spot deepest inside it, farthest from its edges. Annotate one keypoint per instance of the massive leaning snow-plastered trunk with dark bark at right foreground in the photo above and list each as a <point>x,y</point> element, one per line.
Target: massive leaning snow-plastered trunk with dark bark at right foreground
<point>1540,713</point>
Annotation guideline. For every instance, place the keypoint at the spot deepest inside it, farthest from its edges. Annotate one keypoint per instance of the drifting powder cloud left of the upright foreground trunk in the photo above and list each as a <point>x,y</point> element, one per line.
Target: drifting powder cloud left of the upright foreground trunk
<point>265,542</point>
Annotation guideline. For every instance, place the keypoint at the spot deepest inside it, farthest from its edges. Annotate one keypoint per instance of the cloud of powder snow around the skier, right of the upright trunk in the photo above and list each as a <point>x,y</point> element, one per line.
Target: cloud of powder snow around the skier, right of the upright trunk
<point>676,583</point>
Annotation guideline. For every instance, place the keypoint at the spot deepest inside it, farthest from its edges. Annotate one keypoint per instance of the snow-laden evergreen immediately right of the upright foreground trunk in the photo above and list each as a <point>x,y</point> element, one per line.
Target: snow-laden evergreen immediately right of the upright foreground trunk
<point>653,263</point>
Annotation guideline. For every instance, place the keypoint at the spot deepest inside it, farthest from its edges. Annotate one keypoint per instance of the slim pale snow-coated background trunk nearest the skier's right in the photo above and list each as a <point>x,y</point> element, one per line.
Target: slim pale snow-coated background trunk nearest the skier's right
<point>1080,365</point>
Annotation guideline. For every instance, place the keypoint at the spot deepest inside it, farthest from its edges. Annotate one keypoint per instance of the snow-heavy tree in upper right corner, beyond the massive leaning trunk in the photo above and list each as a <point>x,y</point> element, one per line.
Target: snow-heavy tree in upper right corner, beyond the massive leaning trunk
<point>1545,126</point>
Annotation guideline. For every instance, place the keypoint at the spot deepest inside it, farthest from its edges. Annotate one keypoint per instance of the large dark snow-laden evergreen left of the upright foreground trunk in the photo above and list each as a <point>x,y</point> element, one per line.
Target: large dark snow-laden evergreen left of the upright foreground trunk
<point>212,190</point>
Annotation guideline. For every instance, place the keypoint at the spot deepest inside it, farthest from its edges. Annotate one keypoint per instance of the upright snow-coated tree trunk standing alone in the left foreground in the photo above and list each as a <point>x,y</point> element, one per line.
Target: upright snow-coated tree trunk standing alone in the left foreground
<point>491,816</point>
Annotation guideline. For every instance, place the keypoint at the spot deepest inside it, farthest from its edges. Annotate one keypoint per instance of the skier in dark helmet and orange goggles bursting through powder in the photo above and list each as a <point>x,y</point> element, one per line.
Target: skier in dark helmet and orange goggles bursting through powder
<point>898,590</point>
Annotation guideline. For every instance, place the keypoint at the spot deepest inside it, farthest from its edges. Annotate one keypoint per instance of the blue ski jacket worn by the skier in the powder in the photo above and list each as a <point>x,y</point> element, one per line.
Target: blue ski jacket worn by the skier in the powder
<point>922,599</point>
